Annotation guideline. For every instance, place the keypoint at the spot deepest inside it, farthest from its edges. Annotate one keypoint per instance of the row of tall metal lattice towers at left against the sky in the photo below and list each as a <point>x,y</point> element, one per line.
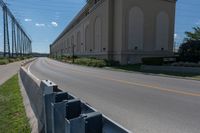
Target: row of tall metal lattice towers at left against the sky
<point>21,42</point>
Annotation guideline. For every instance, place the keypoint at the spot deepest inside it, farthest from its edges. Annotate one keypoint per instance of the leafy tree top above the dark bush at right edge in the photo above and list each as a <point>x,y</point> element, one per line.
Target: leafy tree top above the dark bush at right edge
<point>193,36</point>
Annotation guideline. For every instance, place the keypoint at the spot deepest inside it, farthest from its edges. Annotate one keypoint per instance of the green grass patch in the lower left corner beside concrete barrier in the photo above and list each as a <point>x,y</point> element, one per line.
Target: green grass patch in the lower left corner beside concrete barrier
<point>12,113</point>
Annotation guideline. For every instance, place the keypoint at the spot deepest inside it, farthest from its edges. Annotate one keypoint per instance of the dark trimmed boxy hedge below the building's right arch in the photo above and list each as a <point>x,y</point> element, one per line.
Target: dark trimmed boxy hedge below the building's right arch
<point>153,61</point>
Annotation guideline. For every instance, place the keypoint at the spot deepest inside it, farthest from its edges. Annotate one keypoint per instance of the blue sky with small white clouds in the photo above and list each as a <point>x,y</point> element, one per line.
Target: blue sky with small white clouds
<point>43,20</point>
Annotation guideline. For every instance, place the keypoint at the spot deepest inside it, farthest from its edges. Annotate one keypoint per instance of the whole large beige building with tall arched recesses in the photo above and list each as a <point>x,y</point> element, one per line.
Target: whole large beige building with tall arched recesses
<point>122,30</point>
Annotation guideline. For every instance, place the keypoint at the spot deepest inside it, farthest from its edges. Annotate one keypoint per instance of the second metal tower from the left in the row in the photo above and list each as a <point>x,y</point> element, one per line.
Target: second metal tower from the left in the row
<point>13,38</point>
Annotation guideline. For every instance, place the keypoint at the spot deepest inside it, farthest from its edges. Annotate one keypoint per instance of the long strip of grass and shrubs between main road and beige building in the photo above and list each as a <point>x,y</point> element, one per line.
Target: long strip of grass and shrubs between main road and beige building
<point>128,68</point>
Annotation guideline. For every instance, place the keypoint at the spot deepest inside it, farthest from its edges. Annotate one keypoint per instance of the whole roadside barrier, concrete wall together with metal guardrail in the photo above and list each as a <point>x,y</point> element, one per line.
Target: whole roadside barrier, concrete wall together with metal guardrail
<point>61,112</point>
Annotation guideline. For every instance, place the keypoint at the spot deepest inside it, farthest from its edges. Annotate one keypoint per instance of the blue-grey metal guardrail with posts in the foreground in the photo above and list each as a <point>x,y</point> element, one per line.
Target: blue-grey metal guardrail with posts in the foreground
<point>64,113</point>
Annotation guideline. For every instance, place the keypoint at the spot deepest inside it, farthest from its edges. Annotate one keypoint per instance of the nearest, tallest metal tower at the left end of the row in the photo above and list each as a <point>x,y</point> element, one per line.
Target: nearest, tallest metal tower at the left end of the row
<point>6,32</point>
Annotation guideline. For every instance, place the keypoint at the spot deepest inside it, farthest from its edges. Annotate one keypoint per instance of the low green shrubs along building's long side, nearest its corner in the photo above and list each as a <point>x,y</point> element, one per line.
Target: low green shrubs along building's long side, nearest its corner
<point>90,62</point>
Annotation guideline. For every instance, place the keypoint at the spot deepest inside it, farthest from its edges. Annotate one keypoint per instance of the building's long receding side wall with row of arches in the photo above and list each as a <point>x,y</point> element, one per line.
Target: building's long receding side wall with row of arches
<point>89,37</point>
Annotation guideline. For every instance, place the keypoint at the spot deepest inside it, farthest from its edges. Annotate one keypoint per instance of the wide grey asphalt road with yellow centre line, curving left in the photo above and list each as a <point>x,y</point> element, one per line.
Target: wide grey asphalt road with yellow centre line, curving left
<point>141,103</point>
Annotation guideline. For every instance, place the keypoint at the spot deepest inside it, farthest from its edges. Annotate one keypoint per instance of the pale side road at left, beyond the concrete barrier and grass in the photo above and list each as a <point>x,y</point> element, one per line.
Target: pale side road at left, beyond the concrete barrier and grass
<point>7,71</point>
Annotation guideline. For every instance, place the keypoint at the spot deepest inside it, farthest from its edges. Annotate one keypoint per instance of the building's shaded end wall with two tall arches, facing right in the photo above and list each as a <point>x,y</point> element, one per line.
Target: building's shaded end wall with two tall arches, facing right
<point>144,28</point>
